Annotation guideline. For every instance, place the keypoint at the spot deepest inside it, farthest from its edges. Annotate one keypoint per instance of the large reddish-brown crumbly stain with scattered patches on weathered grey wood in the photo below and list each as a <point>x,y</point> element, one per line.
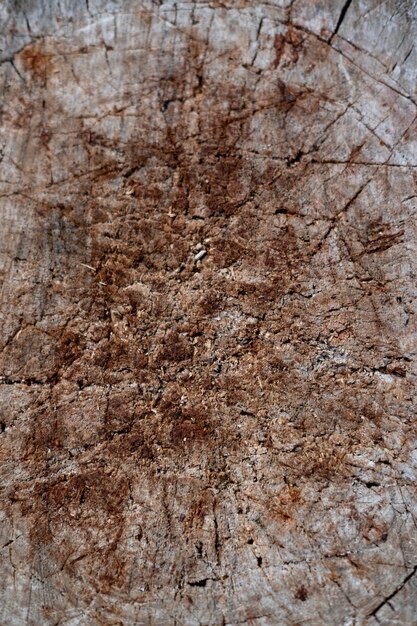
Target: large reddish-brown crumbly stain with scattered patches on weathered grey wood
<point>133,336</point>
